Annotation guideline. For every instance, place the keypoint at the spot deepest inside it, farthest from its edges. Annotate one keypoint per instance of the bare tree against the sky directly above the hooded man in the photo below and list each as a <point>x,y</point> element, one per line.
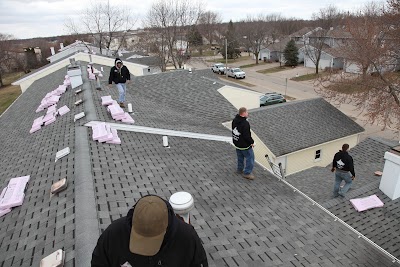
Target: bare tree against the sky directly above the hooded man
<point>105,23</point>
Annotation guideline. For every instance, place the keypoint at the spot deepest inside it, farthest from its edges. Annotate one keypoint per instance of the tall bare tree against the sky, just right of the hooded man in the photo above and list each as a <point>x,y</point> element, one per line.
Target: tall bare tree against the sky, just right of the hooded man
<point>171,19</point>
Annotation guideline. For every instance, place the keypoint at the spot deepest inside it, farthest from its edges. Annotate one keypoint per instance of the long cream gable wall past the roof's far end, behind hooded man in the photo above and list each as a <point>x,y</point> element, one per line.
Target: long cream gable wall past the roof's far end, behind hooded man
<point>24,83</point>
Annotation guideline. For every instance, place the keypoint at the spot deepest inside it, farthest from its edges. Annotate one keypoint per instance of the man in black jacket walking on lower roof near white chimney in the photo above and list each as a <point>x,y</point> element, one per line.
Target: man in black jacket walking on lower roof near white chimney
<point>344,166</point>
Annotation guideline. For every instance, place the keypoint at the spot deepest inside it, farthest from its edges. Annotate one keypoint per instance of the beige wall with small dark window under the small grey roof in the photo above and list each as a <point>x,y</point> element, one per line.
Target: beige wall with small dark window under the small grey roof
<point>305,159</point>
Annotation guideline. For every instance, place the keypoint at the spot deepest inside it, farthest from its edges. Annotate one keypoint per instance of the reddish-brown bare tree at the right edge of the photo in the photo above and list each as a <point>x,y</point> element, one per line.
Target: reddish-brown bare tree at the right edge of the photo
<point>373,50</point>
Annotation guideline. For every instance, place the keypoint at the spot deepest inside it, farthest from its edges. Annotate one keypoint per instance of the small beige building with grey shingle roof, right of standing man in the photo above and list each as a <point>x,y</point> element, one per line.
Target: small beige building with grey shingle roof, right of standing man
<point>302,134</point>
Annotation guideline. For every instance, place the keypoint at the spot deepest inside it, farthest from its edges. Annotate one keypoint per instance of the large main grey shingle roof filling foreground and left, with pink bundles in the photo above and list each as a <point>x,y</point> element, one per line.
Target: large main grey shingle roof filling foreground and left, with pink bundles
<point>241,222</point>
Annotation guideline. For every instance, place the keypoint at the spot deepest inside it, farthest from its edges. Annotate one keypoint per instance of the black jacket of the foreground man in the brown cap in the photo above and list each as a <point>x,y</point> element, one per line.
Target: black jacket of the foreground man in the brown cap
<point>181,247</point>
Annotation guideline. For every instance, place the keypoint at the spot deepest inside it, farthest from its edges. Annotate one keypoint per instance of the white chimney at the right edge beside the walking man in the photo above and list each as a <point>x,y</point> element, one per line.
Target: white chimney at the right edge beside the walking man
<point>390,181</point>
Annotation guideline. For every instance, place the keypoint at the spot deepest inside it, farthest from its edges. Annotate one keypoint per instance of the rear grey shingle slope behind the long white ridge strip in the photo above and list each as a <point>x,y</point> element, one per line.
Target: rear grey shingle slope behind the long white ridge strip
<point>176,100</point>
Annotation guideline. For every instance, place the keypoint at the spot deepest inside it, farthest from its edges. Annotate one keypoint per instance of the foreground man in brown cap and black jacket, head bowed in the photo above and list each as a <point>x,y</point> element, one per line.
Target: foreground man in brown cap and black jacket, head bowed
<point>150,235</point>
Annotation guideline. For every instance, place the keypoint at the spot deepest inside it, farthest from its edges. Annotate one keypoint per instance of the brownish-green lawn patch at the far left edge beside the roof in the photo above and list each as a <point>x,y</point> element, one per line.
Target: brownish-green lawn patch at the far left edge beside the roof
<point>9,93</point>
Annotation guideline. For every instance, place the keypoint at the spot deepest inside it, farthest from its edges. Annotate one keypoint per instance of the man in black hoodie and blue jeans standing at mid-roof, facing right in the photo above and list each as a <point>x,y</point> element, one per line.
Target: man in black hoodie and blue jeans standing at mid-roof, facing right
<point>244,143</point>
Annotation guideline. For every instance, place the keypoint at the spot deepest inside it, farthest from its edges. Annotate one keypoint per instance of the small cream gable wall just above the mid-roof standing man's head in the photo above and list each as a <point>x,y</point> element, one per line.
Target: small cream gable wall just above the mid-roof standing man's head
<point>241,97</point>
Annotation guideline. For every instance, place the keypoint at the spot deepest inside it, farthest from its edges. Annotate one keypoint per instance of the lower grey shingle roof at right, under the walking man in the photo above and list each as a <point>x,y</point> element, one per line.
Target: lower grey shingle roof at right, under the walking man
<point>381,225</point>
